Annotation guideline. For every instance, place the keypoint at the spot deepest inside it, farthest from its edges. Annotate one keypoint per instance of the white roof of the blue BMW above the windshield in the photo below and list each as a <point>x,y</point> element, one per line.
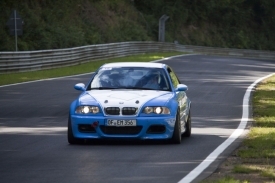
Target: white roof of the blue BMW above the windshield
<point>135,64</point>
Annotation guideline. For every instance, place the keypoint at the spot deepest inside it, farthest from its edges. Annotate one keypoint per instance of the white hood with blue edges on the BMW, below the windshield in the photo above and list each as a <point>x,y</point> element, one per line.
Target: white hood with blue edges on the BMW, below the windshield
<point>124,98</point>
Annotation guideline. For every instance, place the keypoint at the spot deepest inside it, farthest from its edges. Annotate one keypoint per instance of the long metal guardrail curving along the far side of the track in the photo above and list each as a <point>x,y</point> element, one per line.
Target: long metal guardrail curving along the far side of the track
<point>22,61</point>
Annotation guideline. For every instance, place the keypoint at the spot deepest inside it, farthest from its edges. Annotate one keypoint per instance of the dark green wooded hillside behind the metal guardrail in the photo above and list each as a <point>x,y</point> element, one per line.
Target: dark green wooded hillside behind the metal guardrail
<point>54,24</point>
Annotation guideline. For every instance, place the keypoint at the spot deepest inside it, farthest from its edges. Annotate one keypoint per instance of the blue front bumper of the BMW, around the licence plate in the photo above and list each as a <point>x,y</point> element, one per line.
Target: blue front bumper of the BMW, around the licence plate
<point>94,127</point>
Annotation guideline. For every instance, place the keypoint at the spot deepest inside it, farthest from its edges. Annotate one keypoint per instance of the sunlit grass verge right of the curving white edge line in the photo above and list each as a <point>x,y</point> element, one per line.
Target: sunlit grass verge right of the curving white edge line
<point>254,160</point>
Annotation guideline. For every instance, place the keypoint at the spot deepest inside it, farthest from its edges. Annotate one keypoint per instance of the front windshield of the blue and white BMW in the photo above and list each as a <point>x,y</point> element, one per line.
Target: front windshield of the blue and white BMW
<point>130,78</point>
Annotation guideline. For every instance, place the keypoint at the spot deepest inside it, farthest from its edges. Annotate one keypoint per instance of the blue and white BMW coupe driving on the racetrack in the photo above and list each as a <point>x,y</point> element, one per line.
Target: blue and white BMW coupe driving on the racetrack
<point>131,100</point>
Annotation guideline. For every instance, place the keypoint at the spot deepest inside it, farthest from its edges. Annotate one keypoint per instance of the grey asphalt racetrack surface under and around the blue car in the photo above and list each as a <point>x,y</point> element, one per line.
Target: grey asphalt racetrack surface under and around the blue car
<point>33,128</point>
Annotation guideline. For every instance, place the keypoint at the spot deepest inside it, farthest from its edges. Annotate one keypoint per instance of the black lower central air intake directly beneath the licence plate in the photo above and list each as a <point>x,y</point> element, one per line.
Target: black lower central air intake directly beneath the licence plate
<point>126,130</point>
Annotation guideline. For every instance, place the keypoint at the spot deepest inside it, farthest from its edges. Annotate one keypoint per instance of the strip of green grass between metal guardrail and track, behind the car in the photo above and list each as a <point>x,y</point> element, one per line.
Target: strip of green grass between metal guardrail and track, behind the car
<point>92,66</point>
